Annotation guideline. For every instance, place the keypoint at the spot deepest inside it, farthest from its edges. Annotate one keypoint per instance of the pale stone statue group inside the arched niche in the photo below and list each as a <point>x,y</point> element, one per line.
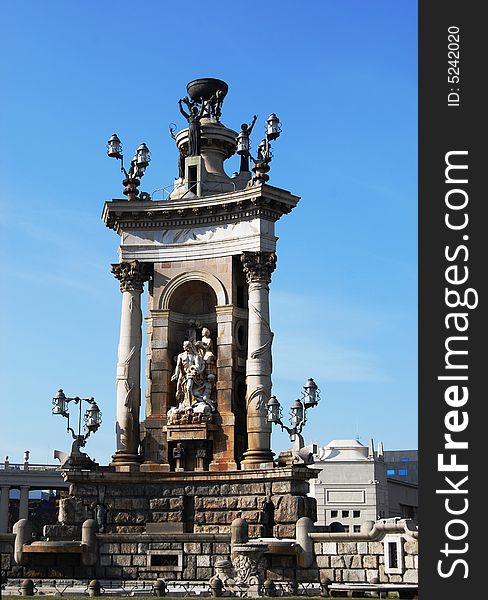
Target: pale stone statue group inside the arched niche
<point>195,380</point>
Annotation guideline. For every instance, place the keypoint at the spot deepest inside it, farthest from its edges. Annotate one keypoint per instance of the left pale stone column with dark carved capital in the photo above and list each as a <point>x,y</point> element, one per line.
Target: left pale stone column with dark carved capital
<point>131,276</point>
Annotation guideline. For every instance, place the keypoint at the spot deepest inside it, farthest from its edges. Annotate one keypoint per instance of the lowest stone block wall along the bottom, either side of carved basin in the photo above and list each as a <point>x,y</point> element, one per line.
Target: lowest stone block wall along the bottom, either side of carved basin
<point>190,556</point>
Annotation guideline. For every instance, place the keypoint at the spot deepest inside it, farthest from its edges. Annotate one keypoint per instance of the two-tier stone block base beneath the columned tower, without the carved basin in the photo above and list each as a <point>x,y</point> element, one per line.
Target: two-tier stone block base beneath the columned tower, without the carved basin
<point>176,525</point>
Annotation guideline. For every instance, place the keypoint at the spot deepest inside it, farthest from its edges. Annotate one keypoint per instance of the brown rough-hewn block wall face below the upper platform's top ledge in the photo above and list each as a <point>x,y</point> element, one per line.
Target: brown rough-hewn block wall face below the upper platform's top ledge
<point>271,507</point>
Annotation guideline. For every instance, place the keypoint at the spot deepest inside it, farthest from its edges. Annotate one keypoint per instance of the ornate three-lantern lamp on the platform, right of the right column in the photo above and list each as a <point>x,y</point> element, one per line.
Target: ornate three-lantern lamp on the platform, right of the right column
<point>298,418</point>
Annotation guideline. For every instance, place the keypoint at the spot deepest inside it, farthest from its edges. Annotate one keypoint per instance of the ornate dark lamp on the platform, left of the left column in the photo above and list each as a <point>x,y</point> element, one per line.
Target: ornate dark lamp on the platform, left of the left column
<point>91,420</point>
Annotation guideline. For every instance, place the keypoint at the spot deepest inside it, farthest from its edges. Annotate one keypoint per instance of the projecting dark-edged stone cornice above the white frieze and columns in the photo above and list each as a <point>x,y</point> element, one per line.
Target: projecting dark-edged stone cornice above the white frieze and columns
<point>263,201</point>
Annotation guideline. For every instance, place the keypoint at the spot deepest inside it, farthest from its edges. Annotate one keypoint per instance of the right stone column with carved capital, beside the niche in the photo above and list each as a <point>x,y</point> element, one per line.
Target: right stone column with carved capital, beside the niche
<point>258,267</point>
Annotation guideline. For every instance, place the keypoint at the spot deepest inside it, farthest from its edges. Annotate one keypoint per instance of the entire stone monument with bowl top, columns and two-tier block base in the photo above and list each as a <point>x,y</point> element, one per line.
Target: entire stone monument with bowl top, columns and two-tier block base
<point>196,475</point>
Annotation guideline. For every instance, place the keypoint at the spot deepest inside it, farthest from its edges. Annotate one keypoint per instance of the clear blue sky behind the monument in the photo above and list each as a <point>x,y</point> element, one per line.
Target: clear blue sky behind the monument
<point>342,77</point>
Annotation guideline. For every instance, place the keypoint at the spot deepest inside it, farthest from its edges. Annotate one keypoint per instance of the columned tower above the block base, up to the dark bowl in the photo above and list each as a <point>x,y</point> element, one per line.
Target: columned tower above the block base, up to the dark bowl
<point>207,253</point>
